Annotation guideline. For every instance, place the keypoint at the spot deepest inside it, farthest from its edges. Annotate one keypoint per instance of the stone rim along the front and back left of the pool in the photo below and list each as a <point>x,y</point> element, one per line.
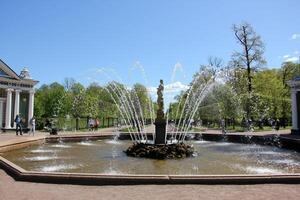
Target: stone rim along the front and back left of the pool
<point>20,174</point>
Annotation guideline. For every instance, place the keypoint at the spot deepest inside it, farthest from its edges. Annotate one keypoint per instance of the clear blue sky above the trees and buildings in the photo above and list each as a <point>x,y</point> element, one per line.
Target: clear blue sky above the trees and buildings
<point>72,38</point>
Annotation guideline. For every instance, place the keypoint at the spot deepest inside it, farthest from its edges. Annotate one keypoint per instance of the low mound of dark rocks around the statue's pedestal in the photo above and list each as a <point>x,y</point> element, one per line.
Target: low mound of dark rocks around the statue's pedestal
<point>170,151</point>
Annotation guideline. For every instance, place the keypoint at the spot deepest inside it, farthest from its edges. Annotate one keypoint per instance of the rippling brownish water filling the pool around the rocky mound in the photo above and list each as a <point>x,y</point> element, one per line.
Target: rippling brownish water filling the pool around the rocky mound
<point>107,157</point>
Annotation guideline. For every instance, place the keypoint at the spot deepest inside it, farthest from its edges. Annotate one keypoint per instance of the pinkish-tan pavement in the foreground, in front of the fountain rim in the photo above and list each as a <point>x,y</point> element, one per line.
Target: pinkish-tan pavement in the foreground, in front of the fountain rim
<point>14,190</point>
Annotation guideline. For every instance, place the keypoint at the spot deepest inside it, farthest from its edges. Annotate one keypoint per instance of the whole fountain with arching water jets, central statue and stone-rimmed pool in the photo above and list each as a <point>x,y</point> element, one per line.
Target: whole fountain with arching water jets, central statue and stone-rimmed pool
<point>100,155</point>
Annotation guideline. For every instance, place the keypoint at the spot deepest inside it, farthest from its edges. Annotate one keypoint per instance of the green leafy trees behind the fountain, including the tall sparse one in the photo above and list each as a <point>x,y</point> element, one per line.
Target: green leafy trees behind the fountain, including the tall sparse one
<point>242,89</point>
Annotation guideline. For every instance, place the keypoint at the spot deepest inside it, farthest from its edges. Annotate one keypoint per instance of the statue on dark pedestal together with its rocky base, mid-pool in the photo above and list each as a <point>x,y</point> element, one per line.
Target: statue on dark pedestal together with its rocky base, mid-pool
<point>161,149</point>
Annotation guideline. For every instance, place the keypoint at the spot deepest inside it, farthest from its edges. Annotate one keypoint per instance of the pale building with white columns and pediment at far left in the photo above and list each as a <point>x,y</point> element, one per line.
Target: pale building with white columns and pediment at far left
<point>16,96</point>
